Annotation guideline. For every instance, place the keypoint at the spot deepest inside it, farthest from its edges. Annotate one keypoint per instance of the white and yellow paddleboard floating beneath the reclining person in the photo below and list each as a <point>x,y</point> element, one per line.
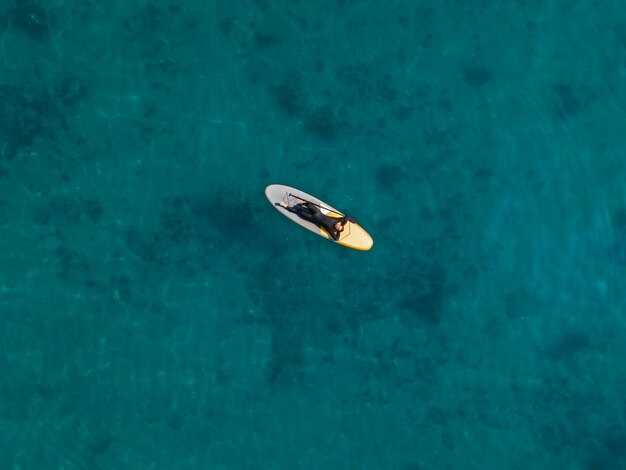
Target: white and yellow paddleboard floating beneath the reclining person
<point>353,235</point>
